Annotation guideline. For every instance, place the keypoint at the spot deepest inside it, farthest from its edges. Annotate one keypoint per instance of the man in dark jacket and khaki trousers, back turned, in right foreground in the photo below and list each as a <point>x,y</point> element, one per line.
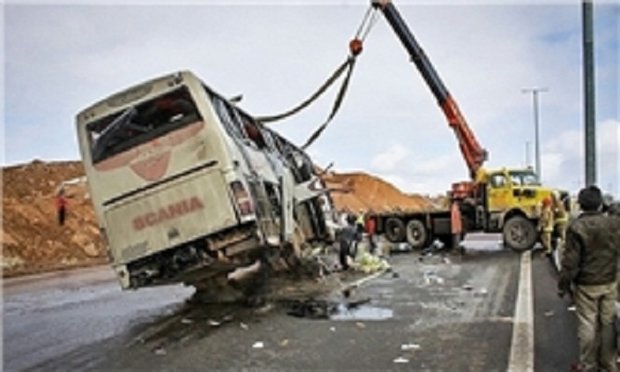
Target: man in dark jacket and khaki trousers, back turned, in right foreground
<point>590,265</point>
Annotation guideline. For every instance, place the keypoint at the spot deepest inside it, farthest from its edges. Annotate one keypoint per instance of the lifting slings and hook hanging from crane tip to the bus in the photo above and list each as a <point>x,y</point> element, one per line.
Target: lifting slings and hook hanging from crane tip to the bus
<point>355,48</point>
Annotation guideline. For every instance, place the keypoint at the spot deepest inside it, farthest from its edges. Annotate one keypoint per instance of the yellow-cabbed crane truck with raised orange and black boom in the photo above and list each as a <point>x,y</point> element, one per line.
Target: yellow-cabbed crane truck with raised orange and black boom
<point>504,200</point>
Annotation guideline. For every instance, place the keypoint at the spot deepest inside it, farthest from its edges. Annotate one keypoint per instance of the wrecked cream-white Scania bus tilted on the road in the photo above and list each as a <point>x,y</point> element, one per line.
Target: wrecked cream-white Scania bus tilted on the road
<point>186,185</point>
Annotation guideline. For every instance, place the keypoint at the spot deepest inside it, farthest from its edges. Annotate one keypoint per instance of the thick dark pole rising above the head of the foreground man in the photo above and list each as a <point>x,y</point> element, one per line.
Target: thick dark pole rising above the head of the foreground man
<point>588,86</point>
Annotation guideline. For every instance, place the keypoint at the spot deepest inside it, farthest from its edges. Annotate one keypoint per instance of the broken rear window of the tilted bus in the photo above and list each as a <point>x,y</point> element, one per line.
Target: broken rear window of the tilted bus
<point>141,123</point>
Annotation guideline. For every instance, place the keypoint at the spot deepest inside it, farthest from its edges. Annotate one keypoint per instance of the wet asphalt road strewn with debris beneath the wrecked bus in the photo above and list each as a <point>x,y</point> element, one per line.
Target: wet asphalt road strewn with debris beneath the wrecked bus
<point>432,312</point>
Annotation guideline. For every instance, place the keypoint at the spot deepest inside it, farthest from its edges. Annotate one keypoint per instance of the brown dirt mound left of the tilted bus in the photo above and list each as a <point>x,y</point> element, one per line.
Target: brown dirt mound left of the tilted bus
<point>32,239</point>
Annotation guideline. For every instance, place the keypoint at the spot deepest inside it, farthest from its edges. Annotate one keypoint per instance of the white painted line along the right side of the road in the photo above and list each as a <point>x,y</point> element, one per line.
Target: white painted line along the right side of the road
<point>522,347</point>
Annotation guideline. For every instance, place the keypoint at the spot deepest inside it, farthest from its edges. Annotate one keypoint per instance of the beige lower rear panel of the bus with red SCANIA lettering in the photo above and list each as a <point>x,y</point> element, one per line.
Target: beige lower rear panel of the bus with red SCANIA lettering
<point>175,213</point>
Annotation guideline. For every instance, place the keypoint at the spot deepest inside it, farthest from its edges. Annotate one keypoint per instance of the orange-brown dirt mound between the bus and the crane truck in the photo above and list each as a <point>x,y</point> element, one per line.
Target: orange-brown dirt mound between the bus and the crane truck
<point>366,192</point>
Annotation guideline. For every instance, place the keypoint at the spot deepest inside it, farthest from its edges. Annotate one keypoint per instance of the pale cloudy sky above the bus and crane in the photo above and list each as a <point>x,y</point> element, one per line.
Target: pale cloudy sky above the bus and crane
<point>60,57</point>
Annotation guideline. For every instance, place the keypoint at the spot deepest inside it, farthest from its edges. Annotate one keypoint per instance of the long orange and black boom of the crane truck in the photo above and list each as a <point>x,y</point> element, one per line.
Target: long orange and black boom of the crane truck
<point>471,150</point>
